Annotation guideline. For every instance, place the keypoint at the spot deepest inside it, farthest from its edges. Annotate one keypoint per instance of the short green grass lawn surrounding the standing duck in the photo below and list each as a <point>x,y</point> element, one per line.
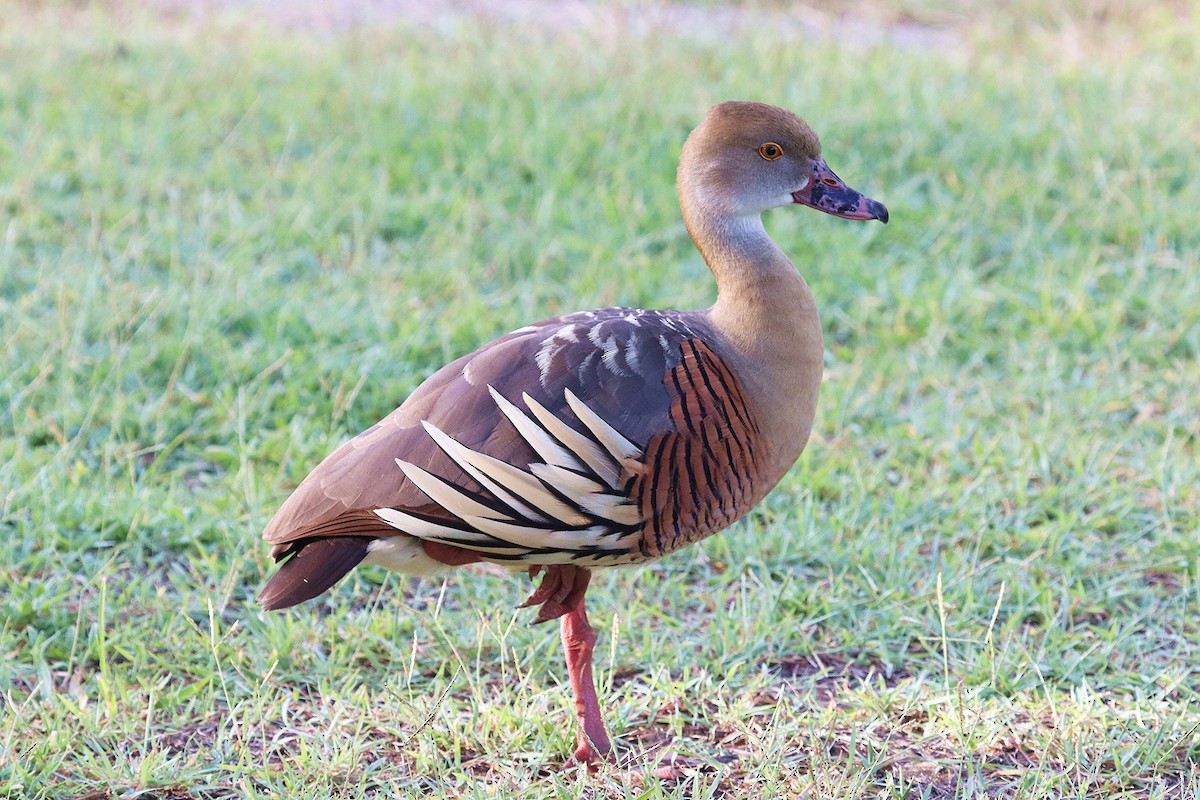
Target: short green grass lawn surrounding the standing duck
<point>225,249</point>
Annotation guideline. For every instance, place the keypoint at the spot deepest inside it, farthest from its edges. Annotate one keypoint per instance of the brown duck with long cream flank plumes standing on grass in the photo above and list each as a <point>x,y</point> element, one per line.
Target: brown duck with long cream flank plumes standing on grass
<point>601,438</point>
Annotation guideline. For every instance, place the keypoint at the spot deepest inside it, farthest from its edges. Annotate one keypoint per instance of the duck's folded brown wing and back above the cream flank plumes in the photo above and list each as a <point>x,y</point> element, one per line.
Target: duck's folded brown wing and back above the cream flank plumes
<point>616,365</point>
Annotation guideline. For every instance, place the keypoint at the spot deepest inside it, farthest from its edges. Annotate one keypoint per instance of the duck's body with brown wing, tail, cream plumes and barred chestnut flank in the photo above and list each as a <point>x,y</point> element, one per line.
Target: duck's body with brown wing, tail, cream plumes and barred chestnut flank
<point>650,377</point>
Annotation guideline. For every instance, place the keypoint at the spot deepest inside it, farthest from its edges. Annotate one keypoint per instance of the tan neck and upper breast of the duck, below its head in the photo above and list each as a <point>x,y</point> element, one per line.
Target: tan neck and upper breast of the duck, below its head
<point>767,318</point>
